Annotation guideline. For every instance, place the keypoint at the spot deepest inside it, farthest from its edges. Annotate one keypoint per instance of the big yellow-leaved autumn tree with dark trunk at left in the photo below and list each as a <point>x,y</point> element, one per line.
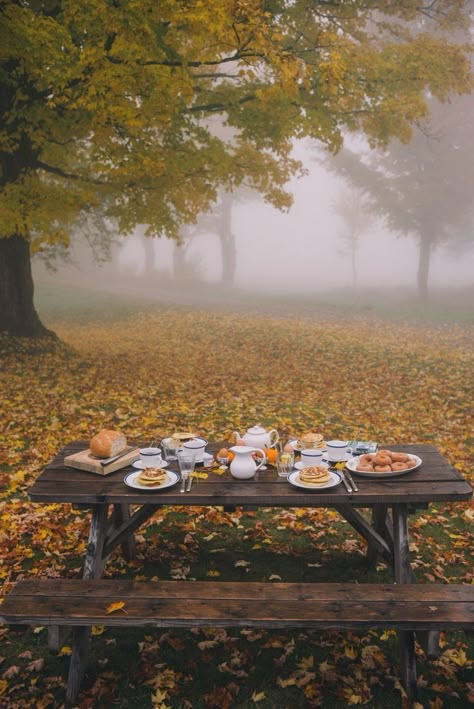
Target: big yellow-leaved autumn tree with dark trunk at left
<point>106,104</point>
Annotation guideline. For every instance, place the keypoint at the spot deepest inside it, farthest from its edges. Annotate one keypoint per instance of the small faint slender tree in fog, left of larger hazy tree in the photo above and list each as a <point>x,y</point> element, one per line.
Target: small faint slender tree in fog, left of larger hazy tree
<point>351,207</point>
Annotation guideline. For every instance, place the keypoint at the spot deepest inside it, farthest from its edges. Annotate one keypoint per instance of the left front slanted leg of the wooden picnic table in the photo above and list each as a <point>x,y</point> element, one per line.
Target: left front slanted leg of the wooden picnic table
<point>93,565</point>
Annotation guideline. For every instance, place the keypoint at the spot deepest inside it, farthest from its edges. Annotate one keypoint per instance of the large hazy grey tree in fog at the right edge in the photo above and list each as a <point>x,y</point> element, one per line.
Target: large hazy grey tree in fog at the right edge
<point>423,189</point>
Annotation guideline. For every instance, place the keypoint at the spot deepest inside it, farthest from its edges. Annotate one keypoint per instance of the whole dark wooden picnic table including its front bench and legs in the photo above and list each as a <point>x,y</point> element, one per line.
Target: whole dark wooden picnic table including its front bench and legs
<point>409,608</point>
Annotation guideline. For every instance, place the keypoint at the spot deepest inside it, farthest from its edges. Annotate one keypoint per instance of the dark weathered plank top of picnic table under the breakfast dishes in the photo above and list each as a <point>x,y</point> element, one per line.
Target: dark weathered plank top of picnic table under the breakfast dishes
<point>435,481</point>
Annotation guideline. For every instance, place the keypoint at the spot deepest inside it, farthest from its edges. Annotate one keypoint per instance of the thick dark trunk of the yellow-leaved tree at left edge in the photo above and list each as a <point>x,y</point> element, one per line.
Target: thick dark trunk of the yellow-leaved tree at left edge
<point>17,311</point>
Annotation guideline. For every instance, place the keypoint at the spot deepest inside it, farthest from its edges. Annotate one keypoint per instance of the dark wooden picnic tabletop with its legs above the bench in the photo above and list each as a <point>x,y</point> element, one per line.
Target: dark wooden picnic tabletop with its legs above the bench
<point>391,501</point>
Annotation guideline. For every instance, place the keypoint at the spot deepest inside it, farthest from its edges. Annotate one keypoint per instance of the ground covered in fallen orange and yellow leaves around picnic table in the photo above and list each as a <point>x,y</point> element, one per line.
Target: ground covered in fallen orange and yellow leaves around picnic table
<point>169,369</point>
